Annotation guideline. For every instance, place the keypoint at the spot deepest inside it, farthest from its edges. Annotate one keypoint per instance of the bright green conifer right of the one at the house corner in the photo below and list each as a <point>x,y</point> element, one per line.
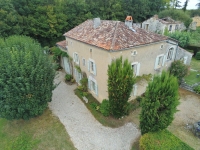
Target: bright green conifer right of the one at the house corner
<point>159,104</point>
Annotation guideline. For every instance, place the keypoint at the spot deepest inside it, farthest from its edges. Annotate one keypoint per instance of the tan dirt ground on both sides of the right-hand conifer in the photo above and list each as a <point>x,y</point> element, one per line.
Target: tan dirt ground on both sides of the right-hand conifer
<point>188,113</point>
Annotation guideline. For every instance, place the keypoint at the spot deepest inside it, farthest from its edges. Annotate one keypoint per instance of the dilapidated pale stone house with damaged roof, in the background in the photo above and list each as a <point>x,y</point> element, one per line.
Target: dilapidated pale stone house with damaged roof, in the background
<point>154,24</point>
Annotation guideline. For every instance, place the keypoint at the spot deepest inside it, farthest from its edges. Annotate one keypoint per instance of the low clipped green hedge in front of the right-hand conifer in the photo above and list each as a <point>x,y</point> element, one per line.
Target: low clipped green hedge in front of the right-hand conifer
<point>162,140</point>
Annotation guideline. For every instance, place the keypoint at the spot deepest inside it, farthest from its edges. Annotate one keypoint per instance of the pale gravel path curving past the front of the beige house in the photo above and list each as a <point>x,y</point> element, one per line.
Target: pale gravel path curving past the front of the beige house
<point>85,131</point>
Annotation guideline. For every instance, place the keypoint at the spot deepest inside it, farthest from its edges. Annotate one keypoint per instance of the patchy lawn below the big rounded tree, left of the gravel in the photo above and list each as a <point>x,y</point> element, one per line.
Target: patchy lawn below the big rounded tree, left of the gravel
<point>43,132</point>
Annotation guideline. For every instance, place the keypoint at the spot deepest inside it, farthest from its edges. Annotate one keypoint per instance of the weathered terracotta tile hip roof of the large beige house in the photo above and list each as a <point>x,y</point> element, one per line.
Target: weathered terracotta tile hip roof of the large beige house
<point>112,35</point>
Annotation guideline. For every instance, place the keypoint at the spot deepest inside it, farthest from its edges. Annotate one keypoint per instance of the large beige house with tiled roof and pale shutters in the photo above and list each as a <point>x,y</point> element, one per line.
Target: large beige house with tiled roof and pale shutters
<point>94,44</point>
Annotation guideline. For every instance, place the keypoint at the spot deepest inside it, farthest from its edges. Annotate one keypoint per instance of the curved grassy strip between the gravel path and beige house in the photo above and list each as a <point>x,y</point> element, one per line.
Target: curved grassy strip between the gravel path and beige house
<point>106,121</point>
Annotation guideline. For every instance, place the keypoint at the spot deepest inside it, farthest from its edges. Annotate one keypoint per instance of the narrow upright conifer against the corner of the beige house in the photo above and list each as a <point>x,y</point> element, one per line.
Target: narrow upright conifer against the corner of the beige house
<point>120,85</point>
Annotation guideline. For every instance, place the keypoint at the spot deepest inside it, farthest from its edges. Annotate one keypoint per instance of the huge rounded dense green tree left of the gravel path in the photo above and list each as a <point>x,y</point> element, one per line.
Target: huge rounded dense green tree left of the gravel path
<point>26,78</point>
